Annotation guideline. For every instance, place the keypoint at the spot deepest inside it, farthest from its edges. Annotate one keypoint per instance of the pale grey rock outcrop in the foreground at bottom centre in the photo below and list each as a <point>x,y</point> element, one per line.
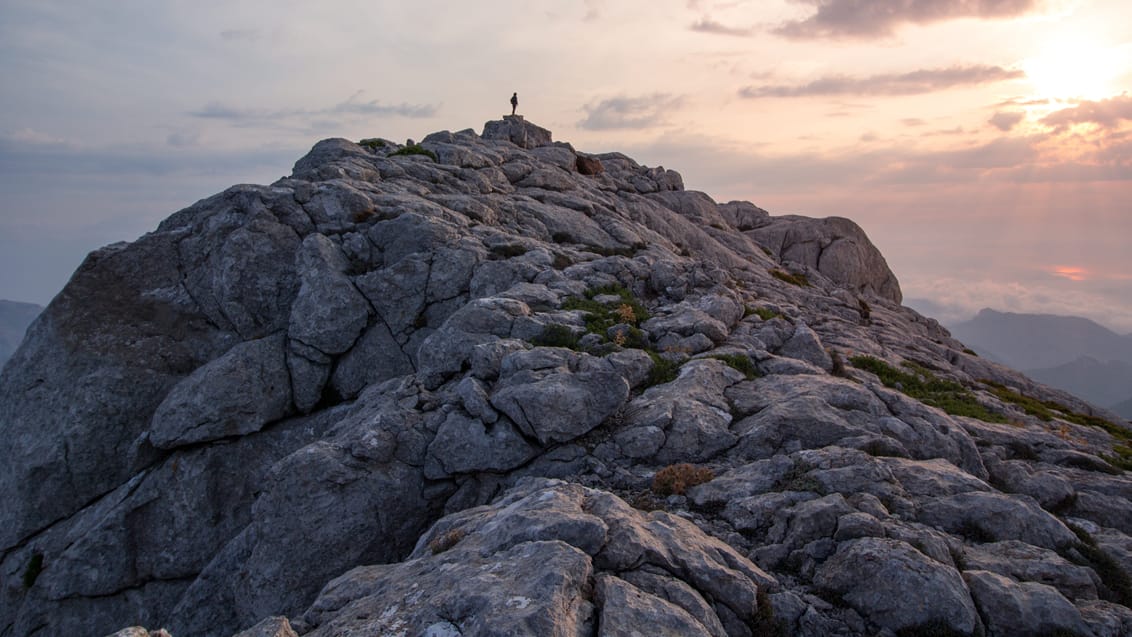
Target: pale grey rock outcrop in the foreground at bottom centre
<point>538,563</point>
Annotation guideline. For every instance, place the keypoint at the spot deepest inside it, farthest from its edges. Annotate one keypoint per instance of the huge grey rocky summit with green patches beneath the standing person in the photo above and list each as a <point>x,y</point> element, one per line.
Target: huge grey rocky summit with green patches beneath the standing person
<point>491,385</point>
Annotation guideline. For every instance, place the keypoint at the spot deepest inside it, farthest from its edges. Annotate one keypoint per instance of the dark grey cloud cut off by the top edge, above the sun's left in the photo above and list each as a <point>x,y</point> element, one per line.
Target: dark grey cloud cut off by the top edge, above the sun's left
<point>880,19</point>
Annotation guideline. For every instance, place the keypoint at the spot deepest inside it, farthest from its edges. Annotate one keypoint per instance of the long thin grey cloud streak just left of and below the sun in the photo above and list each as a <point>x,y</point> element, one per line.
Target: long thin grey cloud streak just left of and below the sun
<point>913,83</point>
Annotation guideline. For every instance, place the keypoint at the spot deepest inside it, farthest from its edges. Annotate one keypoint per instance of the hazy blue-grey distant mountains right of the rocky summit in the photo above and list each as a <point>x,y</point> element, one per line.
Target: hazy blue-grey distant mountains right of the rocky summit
<point>1073,354</point>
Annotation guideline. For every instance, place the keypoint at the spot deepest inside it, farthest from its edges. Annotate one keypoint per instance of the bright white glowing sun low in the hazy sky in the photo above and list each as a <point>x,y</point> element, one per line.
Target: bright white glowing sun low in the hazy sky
<point>1075,70</point>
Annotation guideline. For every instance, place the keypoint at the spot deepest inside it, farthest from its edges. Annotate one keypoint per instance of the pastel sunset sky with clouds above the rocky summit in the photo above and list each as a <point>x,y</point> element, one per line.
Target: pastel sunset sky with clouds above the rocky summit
<point>984,145</point>
